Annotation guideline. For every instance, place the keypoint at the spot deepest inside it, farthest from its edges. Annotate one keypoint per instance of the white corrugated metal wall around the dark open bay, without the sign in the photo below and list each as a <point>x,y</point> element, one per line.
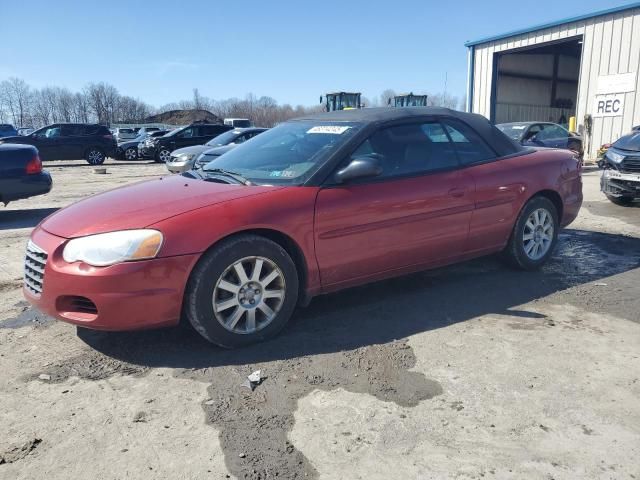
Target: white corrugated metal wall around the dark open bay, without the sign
<point>611,45</point>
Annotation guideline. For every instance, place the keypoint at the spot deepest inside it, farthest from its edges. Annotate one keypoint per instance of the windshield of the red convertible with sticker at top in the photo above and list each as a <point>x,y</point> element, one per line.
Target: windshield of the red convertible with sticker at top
<point>287,154</point>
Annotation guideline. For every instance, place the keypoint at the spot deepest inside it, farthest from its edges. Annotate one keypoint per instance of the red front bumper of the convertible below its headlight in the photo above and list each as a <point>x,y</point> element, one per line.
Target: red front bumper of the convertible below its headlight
<point>126,296</point>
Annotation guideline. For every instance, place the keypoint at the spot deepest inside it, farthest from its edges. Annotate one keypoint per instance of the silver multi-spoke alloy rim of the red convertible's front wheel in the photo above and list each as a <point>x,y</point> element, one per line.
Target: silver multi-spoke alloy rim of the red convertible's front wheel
<point>248,295</point>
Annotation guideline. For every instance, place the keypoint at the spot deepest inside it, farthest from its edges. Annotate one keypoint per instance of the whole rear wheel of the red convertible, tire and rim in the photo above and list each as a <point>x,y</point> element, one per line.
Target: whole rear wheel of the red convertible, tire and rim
<point>534,235</point>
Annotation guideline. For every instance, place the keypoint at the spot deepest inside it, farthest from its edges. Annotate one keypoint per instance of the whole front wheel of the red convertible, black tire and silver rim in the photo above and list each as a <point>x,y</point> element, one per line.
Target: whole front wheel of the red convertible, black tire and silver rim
<point>241,292</point>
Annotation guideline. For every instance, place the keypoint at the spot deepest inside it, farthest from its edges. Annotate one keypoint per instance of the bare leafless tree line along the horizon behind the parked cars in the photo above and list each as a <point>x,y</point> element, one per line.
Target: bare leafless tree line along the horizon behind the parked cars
<point>25,106</point>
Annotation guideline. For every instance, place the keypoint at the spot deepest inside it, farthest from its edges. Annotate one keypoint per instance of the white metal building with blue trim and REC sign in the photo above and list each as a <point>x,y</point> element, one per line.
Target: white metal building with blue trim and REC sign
<point>584,66</point>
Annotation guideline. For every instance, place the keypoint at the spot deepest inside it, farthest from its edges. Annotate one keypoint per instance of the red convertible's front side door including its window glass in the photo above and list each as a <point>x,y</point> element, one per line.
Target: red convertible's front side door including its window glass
<point>415,213</point>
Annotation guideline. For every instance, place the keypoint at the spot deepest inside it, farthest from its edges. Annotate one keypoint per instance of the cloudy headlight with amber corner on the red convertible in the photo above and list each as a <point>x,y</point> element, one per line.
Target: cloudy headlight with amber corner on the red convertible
<point>113,247</point>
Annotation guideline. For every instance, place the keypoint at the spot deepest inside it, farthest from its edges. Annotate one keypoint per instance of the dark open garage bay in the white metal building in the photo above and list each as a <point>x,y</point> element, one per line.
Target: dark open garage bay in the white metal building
<point>537,84</point>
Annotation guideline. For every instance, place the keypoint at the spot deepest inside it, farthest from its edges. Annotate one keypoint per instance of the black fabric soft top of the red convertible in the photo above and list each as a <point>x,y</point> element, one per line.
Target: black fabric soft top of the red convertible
<point>502,144</point>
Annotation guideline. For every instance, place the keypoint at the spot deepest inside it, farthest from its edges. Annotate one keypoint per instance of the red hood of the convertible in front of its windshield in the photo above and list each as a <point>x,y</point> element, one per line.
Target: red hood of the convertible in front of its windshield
<point>142,204</point>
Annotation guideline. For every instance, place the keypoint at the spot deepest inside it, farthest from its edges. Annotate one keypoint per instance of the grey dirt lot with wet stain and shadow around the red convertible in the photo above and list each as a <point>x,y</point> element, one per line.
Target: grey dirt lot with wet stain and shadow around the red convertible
<point>465,372</point>
